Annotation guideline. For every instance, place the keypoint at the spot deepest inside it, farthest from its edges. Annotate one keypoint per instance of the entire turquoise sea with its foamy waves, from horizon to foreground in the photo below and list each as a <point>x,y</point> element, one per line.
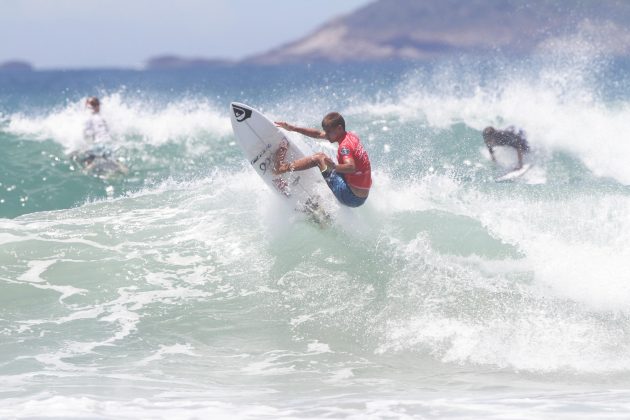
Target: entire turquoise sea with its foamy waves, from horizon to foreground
<point>186,289</point>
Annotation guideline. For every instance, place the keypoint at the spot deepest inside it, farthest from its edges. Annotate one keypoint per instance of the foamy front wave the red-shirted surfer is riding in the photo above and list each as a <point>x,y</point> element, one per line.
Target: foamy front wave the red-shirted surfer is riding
<point>451,274</point>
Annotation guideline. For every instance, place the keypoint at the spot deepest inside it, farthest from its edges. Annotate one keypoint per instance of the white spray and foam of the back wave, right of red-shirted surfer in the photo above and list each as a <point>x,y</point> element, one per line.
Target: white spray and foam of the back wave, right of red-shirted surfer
<point>558,107</point>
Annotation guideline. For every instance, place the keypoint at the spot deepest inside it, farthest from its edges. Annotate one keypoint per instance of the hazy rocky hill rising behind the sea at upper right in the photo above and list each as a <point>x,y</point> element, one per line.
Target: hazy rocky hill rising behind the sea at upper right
<point>422,29</point>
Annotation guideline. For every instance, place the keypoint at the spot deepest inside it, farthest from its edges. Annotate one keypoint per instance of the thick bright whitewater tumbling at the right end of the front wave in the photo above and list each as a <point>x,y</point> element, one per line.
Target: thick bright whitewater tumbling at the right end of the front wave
<point>576,247</point>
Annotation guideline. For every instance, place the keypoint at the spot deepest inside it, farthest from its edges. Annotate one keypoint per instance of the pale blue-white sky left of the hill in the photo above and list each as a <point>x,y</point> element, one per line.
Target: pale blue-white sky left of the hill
<point>124,33</point>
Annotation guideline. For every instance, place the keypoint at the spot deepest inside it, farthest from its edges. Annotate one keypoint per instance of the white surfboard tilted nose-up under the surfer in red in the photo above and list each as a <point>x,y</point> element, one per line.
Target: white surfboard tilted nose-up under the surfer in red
<point>259,138</point>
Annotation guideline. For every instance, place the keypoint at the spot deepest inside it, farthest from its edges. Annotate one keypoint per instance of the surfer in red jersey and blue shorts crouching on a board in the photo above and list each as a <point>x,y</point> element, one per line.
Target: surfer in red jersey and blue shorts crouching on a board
<point>350,178</point>
